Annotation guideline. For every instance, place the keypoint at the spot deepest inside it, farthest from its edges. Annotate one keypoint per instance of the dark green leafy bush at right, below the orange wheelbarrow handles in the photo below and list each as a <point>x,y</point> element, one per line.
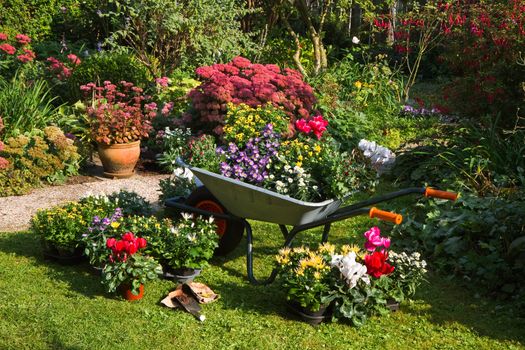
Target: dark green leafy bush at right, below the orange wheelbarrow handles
<point>472,239</point>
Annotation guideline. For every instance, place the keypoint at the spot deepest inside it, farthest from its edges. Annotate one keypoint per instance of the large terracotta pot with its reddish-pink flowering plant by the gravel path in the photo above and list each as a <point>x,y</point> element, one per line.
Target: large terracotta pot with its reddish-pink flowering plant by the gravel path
<point>119,118</point>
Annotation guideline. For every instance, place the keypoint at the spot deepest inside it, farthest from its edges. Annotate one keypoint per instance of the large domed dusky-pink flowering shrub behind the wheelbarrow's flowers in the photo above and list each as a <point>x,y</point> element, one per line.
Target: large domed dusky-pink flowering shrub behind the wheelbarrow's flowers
<point>241,81</point>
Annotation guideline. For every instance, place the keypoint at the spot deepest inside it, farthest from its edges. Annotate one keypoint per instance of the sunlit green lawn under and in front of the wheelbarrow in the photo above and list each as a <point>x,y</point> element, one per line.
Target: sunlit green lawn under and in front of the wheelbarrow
<point>44,305</point>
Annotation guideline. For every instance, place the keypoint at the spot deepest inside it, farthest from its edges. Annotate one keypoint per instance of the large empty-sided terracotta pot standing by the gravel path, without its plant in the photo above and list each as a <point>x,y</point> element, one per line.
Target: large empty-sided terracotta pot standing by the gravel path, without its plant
<point>119,159</point>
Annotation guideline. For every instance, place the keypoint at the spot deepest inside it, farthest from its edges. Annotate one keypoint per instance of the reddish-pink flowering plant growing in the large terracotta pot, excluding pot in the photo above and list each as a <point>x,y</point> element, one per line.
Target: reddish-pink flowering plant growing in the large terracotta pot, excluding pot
<point>119,113</point>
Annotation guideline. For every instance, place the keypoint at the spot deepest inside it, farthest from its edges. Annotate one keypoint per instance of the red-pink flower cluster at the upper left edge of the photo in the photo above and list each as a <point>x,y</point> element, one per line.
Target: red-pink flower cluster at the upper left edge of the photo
<point>14,52</point>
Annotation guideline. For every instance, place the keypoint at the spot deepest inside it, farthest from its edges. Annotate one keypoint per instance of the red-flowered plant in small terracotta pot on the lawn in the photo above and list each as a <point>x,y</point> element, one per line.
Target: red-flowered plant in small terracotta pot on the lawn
<point>126,268</point>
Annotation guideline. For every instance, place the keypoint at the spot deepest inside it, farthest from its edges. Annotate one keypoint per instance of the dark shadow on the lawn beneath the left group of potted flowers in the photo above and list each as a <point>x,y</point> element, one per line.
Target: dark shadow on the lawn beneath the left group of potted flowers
<point>80,277</point>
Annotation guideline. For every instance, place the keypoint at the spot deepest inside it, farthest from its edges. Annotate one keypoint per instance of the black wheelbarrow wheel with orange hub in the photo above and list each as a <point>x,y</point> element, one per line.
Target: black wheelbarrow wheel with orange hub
<point>229,231</point>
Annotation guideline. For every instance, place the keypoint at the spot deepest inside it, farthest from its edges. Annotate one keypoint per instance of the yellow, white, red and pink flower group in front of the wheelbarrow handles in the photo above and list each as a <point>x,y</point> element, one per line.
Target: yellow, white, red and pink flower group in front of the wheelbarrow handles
<point>356,281</point>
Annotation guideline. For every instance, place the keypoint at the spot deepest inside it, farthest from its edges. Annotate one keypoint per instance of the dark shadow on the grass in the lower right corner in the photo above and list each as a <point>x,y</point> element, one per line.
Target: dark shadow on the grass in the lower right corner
<point>450,303</point>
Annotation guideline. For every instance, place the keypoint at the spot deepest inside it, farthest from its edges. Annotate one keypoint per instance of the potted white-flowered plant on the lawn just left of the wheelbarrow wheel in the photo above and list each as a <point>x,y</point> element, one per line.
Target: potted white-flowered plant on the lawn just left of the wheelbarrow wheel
<point>188,247</point>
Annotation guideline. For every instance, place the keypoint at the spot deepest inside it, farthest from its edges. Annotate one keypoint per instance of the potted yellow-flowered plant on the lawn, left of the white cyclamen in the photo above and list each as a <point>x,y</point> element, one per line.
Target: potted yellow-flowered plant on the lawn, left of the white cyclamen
<point>305,276</point>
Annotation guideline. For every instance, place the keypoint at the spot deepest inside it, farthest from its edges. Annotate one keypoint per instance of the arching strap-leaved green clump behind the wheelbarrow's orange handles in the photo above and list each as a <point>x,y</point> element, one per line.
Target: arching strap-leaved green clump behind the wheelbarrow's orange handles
<point>480,159</point>
